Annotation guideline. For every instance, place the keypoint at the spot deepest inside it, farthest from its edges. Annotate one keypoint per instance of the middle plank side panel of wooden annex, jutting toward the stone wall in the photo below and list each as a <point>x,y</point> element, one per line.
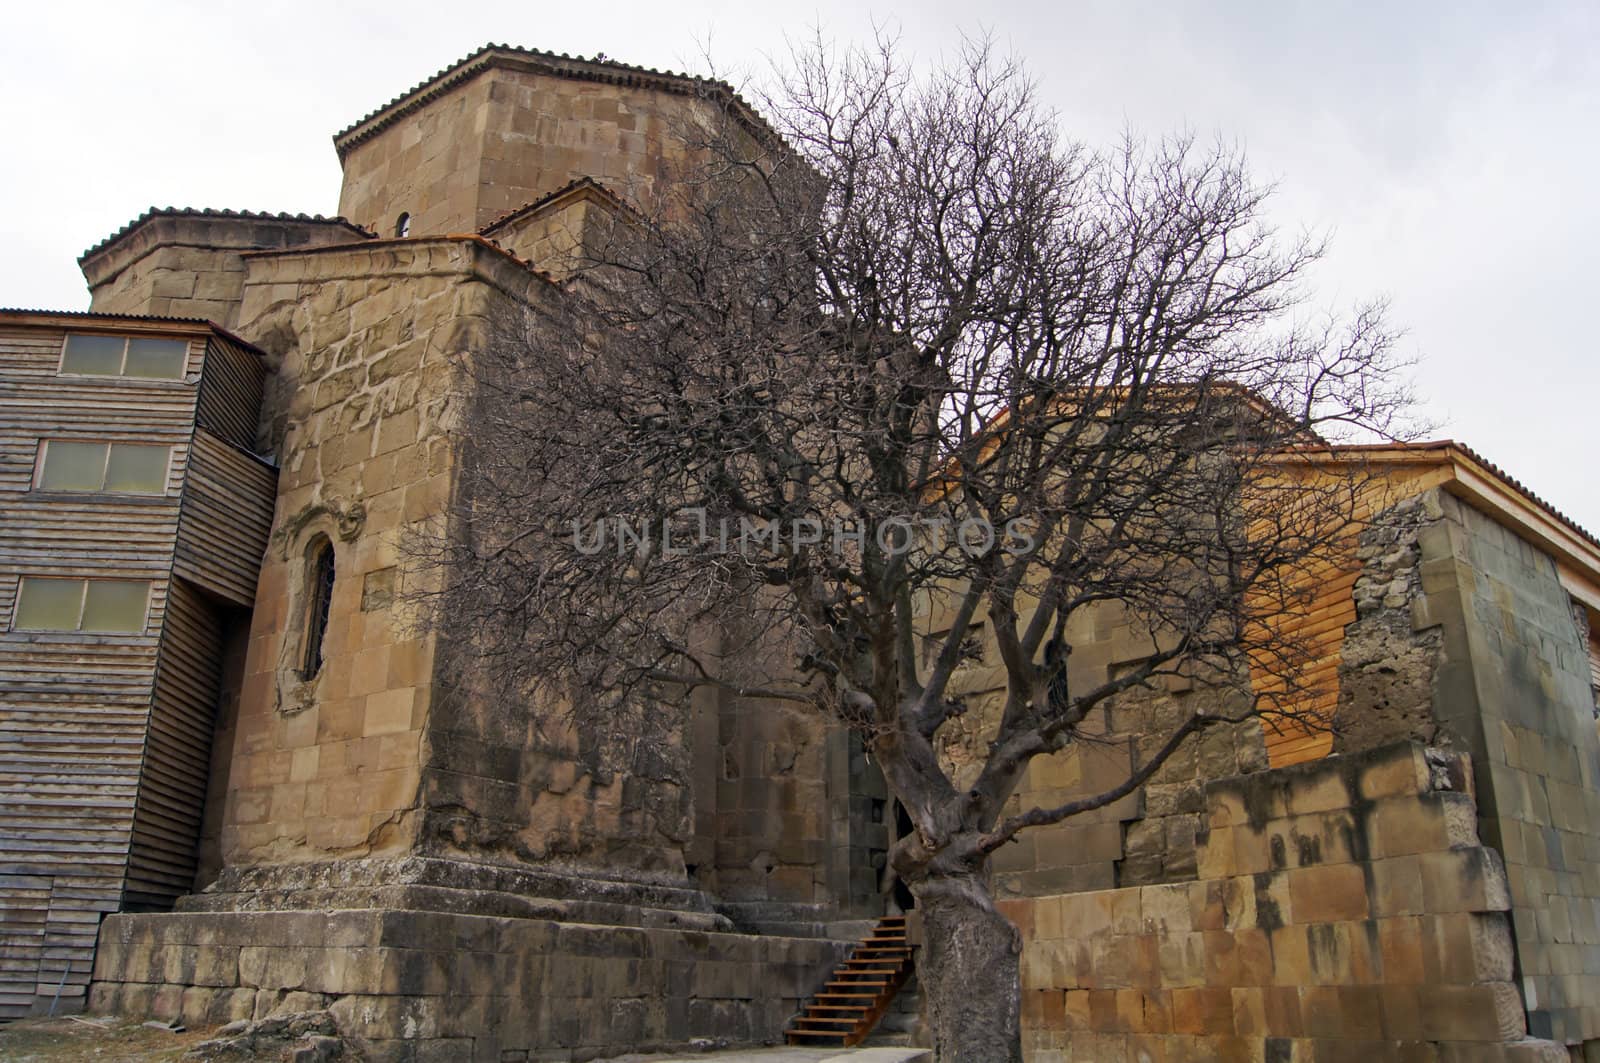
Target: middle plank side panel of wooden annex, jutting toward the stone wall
<point>226,518</point>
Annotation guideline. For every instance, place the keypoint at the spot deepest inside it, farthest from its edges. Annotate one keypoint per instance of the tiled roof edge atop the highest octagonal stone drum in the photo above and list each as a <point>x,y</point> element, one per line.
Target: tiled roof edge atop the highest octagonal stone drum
<point>577,68</point>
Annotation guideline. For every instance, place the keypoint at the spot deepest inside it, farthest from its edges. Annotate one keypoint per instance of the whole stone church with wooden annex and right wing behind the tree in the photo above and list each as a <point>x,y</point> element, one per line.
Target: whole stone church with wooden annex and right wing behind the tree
<point>231,785</point>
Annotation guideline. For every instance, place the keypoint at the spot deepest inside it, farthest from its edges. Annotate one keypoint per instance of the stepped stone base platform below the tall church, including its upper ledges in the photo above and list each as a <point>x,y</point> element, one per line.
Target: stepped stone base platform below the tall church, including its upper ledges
<point>425,958</point>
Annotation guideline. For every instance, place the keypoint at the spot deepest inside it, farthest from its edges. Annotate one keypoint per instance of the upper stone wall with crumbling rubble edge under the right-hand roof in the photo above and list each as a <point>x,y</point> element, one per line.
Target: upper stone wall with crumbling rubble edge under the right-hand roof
<point>1466,638</point>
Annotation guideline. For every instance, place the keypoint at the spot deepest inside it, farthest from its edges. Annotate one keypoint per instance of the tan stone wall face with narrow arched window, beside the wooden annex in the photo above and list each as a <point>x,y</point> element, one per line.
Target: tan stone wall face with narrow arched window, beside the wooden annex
<point>359,419</point>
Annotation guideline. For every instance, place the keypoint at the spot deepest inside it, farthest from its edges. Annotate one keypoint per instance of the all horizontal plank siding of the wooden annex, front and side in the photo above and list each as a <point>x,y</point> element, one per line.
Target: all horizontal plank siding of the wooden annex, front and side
<point>100,734</point>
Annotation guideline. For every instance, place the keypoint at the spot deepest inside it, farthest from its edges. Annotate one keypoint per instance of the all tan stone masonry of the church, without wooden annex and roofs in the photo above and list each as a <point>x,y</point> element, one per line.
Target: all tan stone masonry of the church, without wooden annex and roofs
<point>457,878</point>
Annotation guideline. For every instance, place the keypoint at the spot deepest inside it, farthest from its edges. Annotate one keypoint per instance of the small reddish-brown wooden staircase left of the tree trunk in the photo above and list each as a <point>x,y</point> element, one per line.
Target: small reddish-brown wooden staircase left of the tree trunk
<point>860,990</point>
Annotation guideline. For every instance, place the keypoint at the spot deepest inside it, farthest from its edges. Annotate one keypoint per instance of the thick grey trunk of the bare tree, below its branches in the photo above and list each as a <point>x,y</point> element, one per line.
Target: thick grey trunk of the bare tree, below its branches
<point>969,973</point>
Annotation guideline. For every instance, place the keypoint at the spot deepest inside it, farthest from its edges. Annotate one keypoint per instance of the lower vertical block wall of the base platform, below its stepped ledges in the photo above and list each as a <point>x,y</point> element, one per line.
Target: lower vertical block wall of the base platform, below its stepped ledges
<point>431,987</point>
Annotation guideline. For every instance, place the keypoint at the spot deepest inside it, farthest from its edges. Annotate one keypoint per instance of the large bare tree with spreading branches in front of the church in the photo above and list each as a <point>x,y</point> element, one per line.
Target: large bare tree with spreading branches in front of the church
<point>903,363</point>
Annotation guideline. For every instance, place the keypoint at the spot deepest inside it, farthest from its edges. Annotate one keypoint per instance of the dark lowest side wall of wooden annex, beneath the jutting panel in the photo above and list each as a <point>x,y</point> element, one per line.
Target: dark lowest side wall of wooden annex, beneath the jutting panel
<point>178,753</point>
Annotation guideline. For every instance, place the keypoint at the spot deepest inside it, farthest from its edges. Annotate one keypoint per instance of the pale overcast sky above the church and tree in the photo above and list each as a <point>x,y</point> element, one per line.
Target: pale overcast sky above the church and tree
<point>1450,150</point>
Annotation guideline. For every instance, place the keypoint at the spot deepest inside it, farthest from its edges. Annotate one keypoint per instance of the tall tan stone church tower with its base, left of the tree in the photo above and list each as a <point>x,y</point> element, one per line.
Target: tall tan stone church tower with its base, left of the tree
<point>382,814</point>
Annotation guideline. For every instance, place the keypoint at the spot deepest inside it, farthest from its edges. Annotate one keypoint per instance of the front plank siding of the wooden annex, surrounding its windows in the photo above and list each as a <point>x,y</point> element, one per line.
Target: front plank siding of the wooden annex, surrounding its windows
<point>76,708</point>
